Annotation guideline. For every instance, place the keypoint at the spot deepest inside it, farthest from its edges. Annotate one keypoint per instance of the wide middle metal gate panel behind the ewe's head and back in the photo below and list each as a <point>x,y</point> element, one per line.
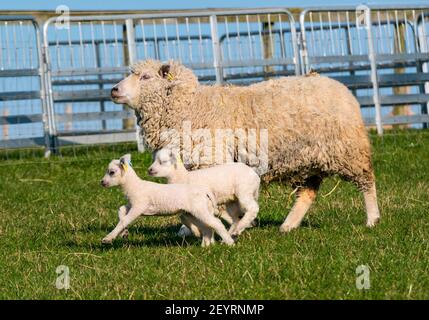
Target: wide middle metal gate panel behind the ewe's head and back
<point>91,53</point>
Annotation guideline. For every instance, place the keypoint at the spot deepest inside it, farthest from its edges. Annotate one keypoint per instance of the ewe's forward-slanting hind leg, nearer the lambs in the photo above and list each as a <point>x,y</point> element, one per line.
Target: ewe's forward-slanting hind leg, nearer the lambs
<point>304,198</point>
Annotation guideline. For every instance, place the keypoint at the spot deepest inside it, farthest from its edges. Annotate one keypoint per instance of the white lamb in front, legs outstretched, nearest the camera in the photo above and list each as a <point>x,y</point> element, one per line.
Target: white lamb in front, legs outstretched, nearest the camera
<point>196,203</point>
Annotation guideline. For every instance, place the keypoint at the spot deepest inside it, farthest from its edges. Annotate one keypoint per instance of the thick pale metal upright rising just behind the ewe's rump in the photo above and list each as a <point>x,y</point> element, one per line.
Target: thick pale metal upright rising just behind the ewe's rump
<point>373,63</point>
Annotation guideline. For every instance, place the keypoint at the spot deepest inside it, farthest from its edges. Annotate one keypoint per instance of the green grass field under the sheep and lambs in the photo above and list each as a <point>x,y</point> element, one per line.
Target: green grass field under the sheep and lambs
<point>53,212</point>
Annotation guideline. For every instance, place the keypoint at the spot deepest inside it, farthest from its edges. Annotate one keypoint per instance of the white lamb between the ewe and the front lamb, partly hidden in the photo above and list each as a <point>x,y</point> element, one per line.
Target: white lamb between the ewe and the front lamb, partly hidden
<point>233,184</point>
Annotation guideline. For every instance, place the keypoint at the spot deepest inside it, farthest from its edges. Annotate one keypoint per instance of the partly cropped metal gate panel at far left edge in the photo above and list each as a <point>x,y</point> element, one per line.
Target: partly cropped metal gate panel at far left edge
<point>23,119</point>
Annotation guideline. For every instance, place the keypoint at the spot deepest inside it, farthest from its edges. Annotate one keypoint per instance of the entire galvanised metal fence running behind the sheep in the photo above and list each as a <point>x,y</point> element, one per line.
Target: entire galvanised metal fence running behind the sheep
<point>380,53</point>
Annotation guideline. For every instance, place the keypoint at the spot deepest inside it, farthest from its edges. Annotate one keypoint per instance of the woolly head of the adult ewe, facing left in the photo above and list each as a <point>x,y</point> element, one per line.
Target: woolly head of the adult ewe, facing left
<point>149,79</point>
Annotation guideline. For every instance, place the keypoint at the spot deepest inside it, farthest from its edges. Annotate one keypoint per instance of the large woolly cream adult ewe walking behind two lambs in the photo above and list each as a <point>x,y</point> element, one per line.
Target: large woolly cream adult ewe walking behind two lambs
<point>314,125</point>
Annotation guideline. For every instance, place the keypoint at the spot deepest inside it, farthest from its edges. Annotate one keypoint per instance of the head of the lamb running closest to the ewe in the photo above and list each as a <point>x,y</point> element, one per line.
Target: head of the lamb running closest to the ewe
<point>166,162</point>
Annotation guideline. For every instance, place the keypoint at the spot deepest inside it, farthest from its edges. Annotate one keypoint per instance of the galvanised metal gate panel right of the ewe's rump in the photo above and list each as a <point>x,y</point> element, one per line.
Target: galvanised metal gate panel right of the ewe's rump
<point>375,51</point>
